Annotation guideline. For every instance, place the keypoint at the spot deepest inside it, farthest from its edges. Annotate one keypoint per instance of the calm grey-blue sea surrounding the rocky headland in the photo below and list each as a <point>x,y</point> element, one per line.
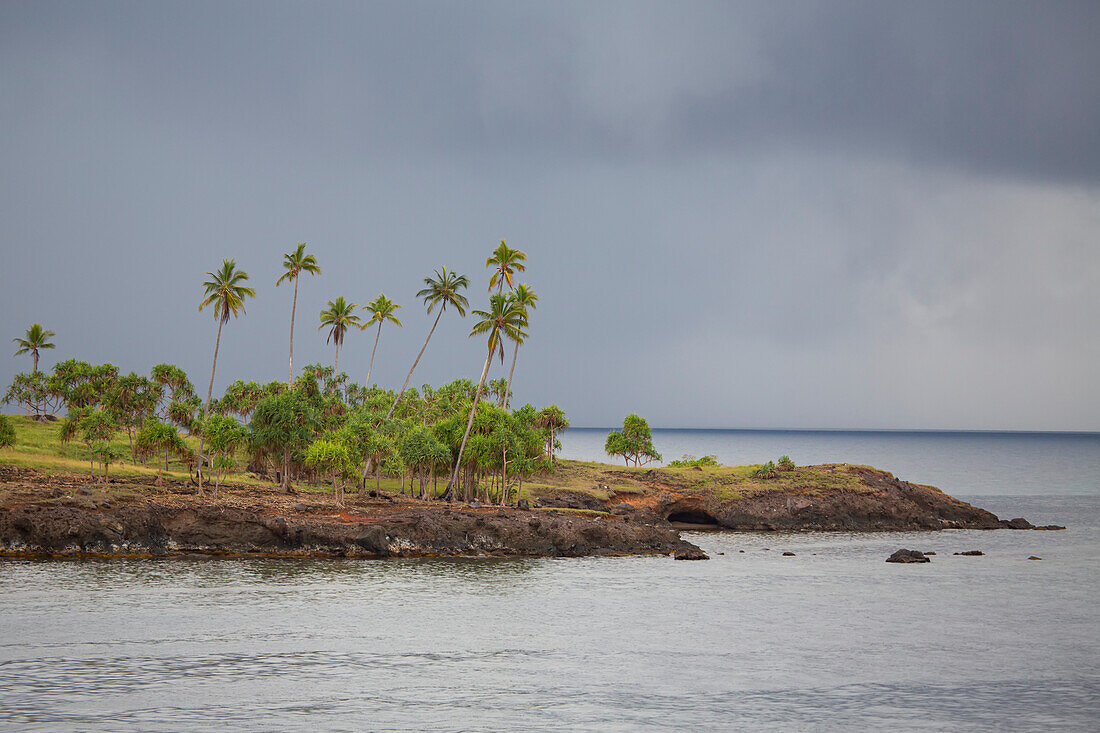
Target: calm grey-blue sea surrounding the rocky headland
<point>832,639</point>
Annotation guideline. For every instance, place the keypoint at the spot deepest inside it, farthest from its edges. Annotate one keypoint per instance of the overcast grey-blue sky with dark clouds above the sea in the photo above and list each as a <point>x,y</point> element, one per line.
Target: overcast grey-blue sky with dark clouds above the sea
<point>797,215</point>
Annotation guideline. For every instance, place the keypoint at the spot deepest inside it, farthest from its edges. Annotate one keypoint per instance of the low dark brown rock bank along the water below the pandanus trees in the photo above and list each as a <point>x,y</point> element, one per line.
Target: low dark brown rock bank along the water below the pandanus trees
<point>207,529</point>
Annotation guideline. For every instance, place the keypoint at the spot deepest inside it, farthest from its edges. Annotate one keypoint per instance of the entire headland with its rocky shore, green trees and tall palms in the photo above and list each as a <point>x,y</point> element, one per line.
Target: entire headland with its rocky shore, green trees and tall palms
<point>320,465</point>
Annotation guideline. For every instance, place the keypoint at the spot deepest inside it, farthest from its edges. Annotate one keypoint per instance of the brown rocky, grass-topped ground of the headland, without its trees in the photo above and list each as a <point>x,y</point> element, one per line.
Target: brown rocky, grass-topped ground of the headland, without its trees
<point>579,510</point>
